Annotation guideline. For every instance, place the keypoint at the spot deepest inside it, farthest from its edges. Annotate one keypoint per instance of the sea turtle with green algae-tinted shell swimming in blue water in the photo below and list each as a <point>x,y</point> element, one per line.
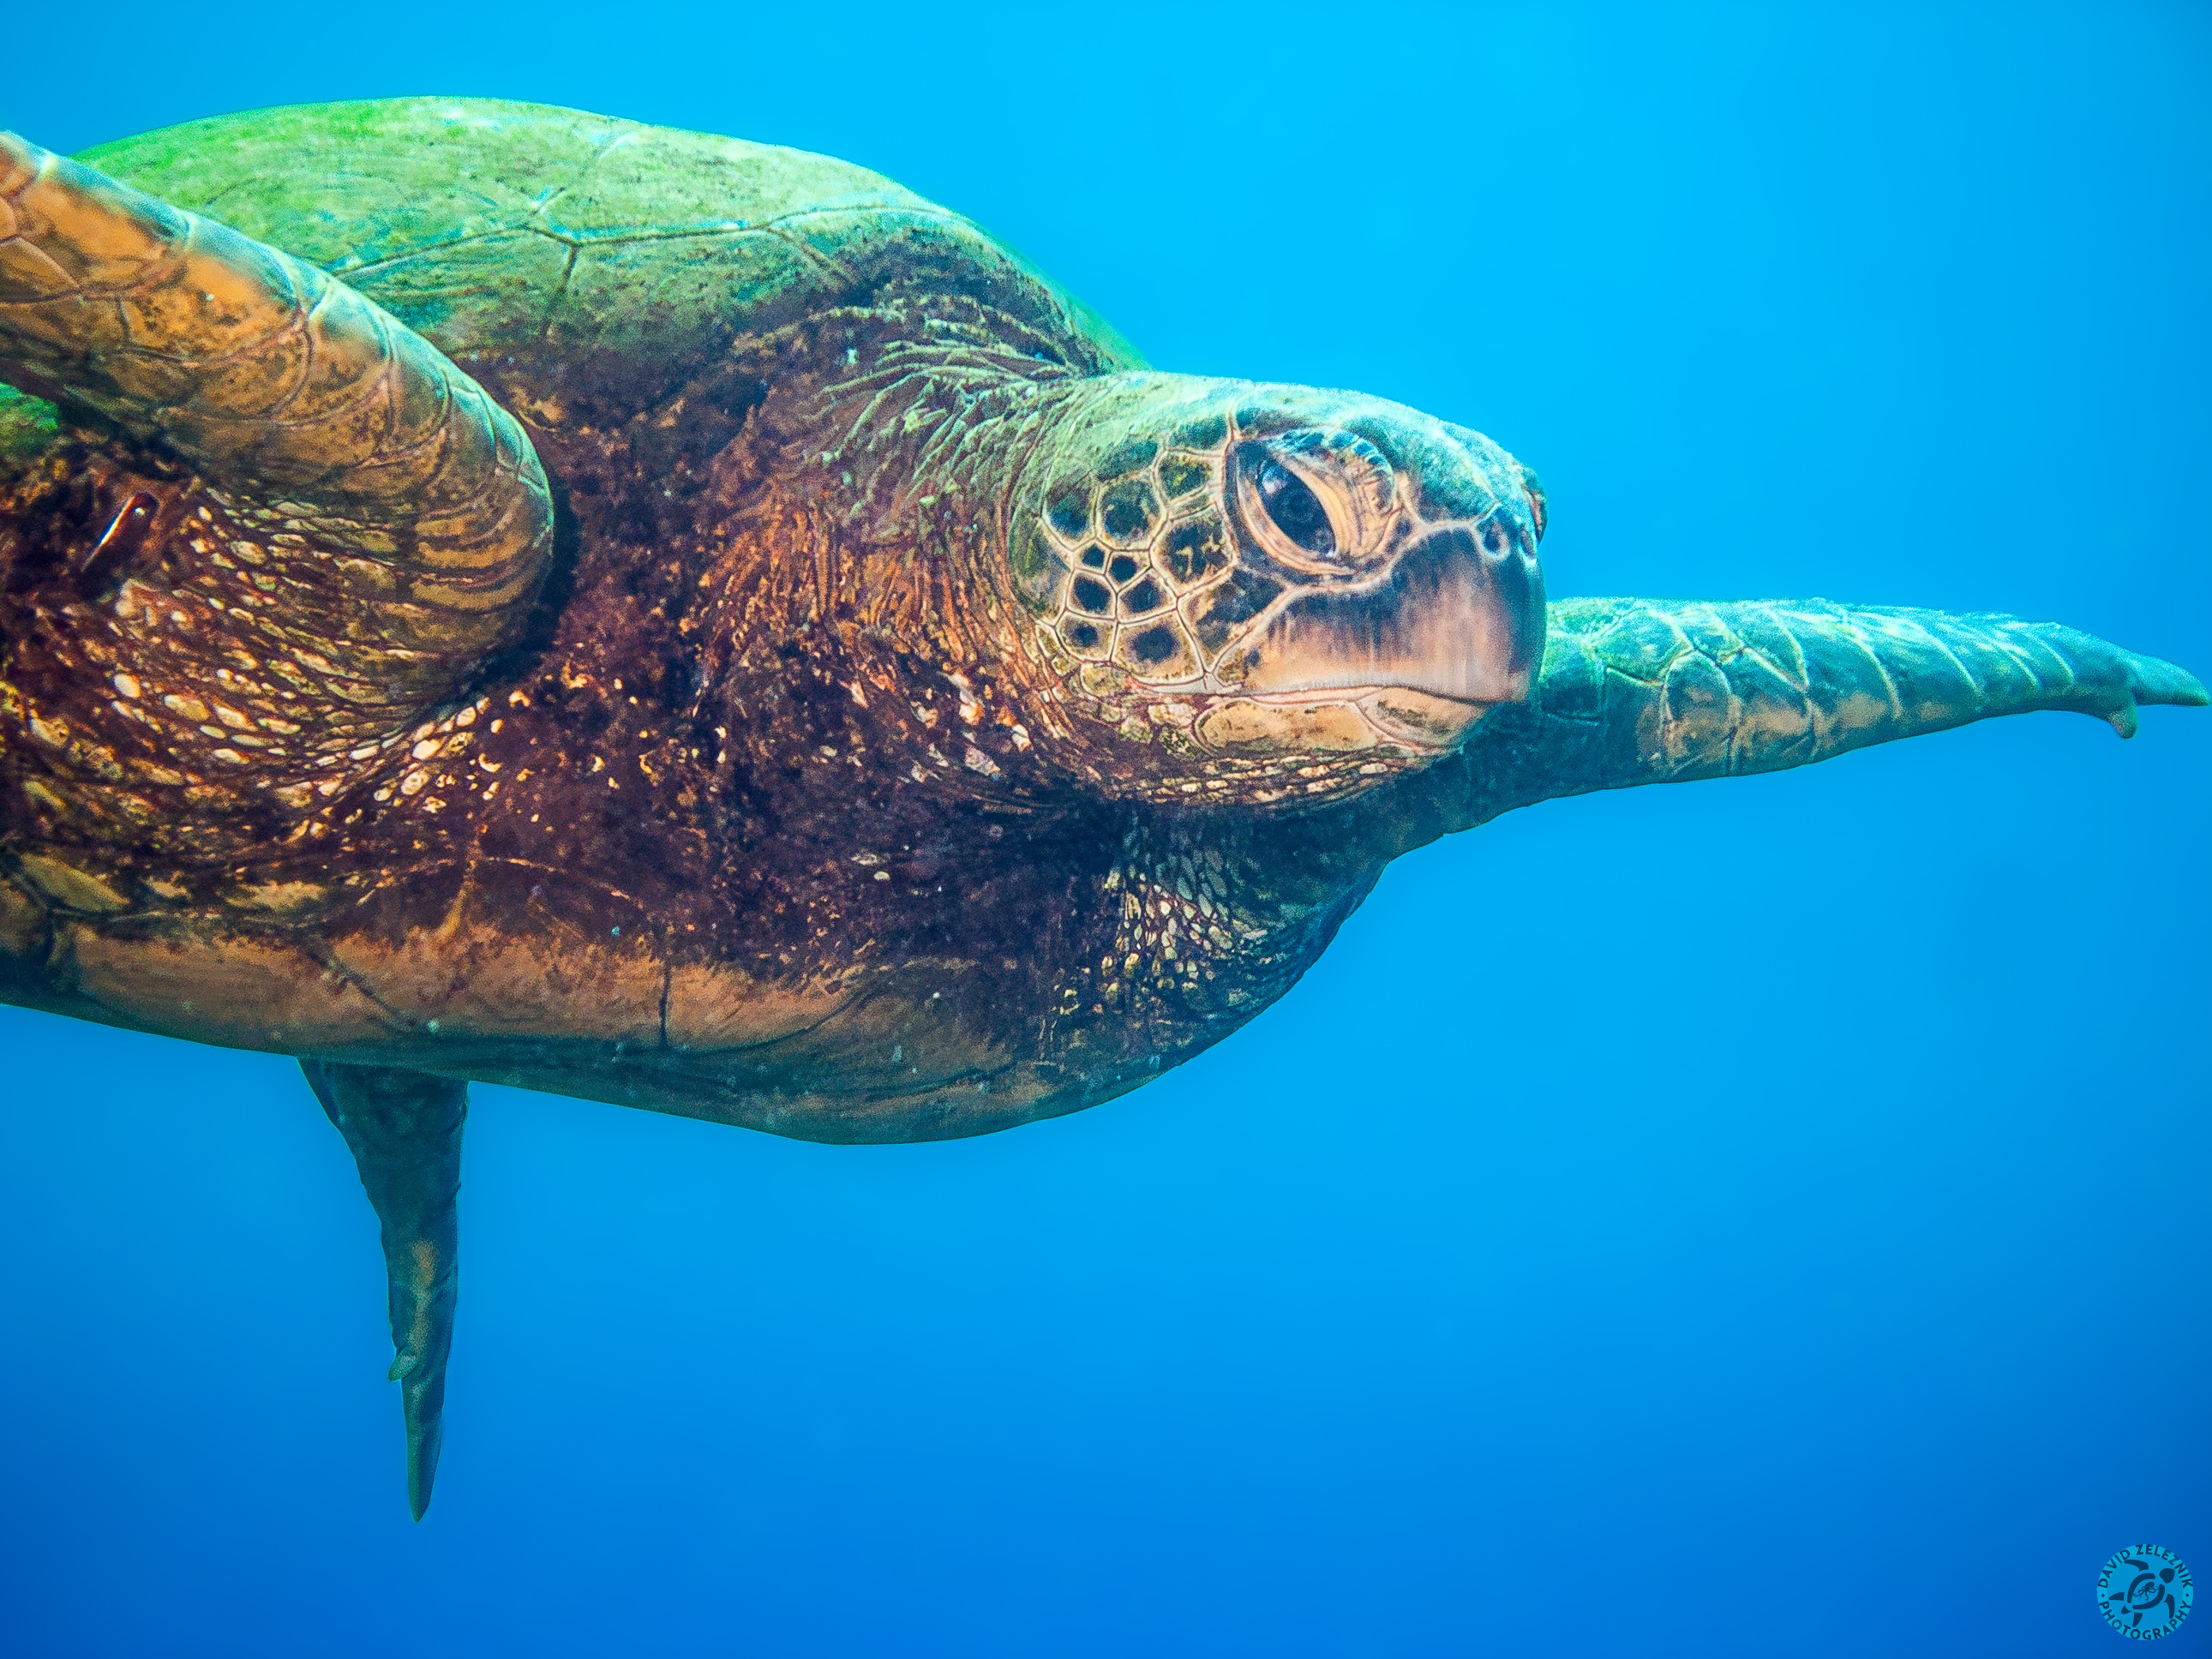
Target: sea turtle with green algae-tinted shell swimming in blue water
<point>505,594</point>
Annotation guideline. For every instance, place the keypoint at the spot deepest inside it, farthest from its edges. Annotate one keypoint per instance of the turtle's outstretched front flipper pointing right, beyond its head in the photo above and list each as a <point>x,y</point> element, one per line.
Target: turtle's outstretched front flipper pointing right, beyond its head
<point>1658,691</point>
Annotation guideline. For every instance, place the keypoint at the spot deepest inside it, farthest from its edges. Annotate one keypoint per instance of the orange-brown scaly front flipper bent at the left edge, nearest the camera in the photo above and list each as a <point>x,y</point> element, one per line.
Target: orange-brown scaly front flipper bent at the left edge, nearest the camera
<point>399,505</point>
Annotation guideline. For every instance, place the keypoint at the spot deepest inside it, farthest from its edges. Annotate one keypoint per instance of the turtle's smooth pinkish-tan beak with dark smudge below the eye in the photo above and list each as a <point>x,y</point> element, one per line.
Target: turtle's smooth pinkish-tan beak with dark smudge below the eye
<point>1459,620</point>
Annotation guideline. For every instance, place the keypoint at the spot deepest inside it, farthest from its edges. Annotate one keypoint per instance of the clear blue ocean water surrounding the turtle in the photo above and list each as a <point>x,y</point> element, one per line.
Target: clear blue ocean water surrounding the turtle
<point>1751,1218</point>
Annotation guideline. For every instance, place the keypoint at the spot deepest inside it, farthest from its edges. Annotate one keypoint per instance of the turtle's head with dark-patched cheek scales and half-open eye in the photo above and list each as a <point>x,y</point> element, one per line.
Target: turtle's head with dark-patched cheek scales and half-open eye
<point>1273,594</point>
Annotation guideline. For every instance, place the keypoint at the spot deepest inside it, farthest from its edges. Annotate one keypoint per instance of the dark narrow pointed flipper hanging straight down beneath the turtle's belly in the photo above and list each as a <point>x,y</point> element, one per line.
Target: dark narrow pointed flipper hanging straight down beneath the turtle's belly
<point>406,1136</point>
